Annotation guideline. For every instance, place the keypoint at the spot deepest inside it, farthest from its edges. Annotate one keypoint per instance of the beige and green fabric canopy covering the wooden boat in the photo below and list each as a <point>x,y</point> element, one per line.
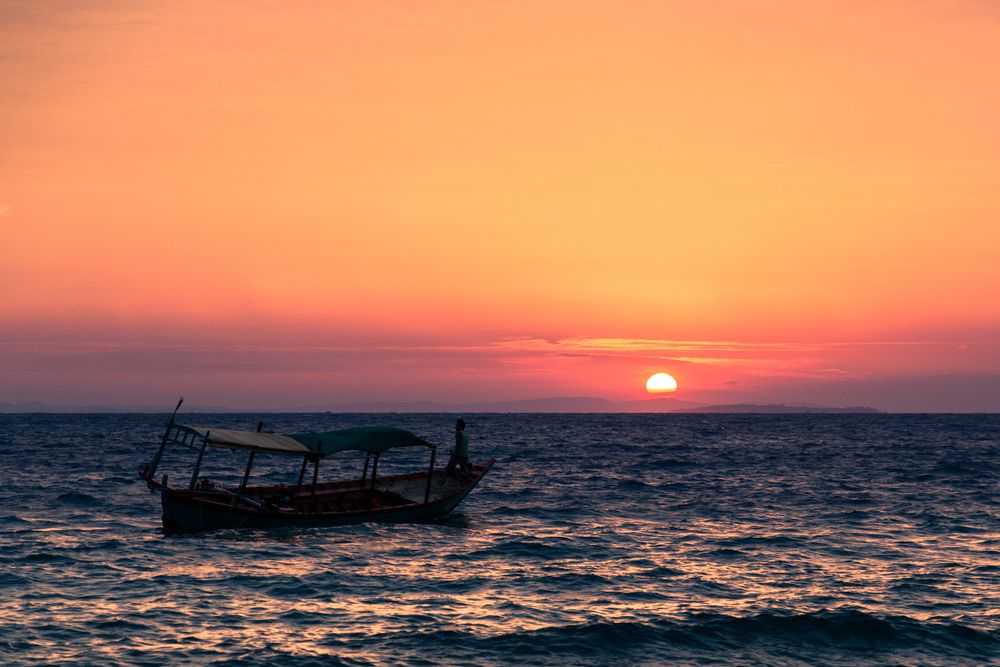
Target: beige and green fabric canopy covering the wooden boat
<point>370,439</point>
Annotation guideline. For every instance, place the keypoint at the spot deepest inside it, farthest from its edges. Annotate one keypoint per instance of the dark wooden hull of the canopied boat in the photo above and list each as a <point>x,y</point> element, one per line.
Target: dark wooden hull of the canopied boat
<point>191,511</point>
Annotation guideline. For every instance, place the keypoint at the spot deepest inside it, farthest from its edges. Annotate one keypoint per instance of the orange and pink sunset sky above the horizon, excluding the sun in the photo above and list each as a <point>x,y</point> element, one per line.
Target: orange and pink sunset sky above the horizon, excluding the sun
<point>270,205</point>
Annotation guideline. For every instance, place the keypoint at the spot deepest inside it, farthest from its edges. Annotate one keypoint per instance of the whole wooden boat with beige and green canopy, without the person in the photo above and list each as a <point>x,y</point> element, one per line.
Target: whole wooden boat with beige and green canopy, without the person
<point>205,505</point>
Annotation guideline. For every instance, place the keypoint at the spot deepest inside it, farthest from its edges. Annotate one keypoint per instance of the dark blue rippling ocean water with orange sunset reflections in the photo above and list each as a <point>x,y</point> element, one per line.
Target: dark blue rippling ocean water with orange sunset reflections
<point>595,539</point>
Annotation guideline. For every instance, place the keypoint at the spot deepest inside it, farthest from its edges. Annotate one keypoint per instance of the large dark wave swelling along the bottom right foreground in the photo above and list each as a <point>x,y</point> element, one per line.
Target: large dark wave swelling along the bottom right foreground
<point>813,638</point>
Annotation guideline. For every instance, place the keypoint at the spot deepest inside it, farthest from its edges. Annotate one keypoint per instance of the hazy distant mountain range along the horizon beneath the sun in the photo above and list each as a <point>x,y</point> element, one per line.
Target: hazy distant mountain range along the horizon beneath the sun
<point>564,404</point>
